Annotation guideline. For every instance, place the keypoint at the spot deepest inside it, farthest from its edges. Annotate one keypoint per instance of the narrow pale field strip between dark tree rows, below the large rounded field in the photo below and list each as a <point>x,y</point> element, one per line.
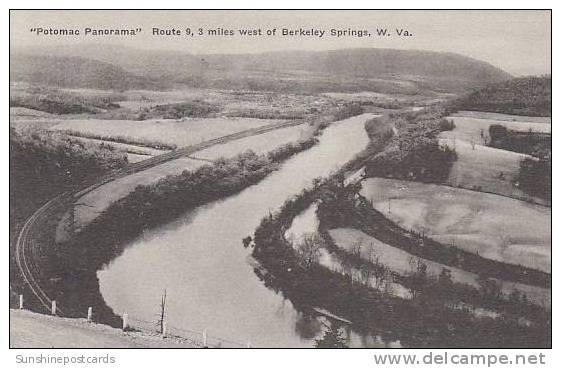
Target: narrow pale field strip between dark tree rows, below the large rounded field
<point>398,261</point>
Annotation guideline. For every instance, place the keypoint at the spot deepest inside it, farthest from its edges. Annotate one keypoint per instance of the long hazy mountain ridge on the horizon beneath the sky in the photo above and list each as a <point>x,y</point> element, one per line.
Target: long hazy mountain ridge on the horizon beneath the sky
<point>347,69</point>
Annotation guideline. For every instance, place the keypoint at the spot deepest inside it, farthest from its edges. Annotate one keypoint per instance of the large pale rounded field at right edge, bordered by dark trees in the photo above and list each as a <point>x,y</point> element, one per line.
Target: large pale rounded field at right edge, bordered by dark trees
<point>492,226</point>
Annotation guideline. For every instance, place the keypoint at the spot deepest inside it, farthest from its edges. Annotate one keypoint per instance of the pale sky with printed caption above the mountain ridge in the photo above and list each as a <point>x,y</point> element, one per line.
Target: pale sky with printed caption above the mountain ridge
<point>518,42</point>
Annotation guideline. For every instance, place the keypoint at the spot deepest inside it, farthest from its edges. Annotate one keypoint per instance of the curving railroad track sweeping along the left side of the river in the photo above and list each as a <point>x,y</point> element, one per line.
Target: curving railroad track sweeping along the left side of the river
<point>28,246</point>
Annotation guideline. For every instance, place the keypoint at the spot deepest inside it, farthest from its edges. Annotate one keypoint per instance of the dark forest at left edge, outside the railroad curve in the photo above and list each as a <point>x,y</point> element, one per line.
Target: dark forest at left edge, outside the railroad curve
<point>44,164</point>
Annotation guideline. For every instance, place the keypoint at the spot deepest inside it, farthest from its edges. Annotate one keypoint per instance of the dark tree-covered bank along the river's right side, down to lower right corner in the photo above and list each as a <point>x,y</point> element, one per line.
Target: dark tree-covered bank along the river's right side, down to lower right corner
<point>426,320</point>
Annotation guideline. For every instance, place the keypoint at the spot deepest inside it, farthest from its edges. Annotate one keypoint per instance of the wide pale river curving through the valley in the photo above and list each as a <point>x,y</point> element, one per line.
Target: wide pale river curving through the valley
<point>201,263</point>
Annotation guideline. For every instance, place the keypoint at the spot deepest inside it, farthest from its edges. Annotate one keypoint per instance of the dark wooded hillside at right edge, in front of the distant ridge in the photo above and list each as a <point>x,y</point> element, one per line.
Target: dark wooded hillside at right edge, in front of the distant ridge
<point>520,96</point>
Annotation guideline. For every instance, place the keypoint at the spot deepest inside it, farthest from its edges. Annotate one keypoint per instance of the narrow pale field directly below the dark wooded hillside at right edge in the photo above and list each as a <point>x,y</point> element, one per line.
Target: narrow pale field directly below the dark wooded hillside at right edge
<point>477,130</point>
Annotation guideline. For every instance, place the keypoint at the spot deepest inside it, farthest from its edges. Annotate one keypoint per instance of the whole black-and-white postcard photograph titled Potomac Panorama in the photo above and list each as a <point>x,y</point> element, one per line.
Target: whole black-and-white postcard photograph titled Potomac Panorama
<point>247,179</point>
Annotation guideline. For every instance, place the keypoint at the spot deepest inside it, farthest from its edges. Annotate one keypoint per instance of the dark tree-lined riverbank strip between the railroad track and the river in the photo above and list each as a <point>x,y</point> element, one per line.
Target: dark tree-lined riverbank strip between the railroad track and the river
<point>147,207</point>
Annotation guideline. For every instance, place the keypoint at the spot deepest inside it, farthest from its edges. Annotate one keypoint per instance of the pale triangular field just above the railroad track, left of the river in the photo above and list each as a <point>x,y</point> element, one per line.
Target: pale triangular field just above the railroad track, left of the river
<point>171,132</point>
